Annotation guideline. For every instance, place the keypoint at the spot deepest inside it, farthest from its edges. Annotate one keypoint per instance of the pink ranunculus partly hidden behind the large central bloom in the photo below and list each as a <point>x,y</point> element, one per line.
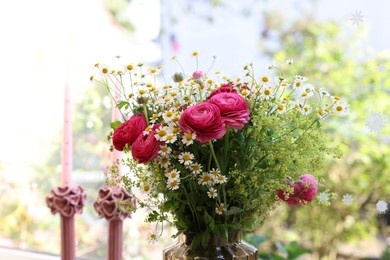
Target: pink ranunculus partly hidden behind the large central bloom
<point>233,107</point>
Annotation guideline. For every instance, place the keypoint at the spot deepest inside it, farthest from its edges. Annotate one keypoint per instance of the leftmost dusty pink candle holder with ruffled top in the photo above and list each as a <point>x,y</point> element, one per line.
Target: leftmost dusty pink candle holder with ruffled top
<point>67,201</point>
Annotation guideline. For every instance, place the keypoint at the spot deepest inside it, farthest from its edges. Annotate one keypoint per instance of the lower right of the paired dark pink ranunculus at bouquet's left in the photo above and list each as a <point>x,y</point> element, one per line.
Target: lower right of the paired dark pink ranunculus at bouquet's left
<point>145,148</point>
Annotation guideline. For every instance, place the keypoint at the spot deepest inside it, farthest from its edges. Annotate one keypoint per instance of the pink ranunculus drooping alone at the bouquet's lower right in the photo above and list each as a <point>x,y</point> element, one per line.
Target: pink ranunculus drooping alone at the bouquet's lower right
<point>304,191</point>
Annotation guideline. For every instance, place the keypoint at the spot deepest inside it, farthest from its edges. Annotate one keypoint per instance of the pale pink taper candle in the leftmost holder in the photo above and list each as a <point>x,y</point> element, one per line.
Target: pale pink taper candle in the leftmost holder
<point>67,151</point>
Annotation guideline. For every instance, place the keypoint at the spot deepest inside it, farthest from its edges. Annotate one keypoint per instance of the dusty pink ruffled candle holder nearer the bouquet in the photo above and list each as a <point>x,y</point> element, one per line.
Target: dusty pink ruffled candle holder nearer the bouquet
<point>106,205</point>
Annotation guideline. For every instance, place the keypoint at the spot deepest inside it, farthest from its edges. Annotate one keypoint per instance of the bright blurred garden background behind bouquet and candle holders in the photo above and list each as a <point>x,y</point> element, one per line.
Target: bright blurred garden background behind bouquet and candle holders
<point>343,46</point>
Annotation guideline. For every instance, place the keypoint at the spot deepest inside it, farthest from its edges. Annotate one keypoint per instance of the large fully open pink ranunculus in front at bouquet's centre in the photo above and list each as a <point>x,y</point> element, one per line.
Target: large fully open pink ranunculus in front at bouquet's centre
<point>203,119</point>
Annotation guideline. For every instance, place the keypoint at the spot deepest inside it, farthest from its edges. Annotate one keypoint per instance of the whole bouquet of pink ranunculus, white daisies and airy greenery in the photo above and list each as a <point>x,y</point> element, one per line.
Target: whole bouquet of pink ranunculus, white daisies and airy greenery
<point>208,153</point>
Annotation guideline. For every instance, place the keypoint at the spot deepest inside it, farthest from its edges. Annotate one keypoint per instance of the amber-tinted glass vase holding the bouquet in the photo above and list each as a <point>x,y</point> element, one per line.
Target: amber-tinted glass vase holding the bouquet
<point>218,248</point>
